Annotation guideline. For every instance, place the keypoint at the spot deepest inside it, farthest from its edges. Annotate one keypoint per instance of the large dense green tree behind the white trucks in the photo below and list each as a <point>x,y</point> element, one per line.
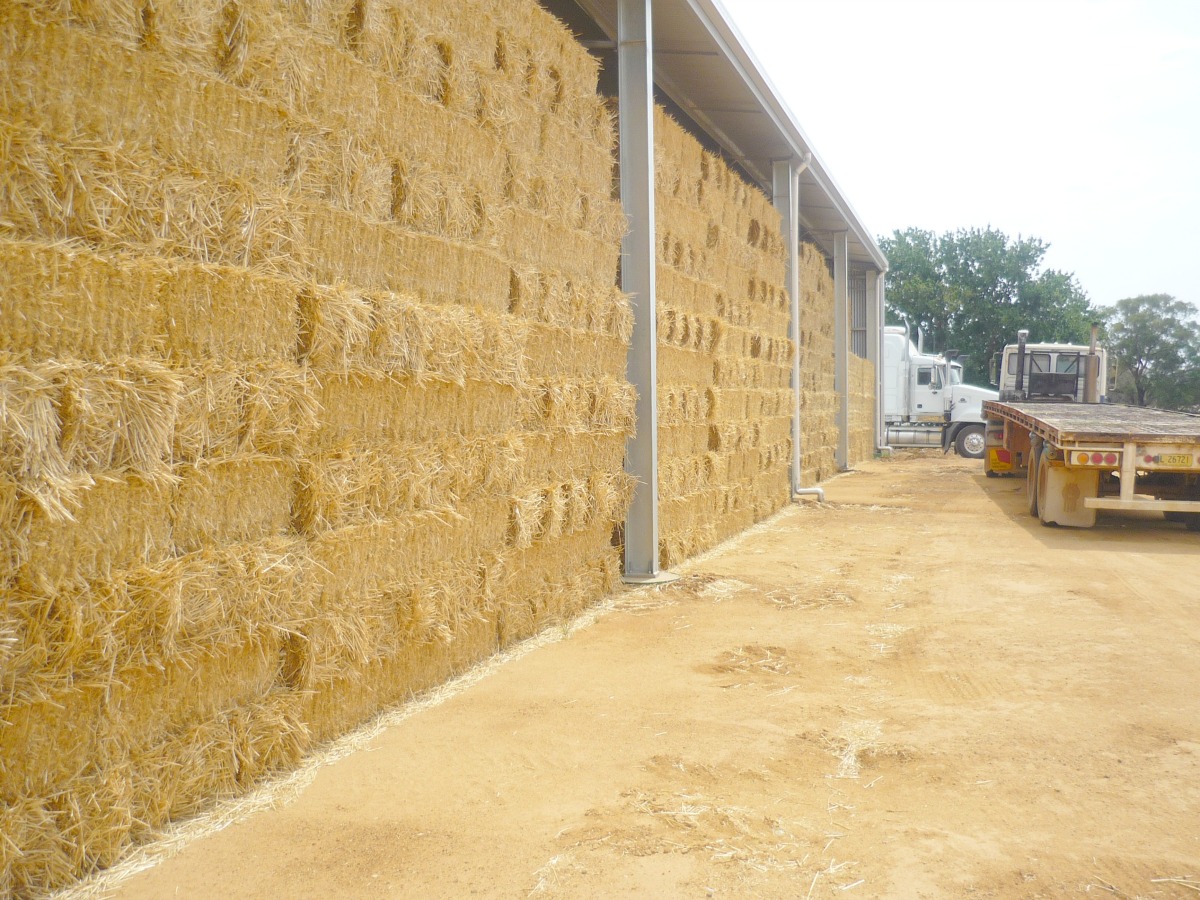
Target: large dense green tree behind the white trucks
<point>973,290</point>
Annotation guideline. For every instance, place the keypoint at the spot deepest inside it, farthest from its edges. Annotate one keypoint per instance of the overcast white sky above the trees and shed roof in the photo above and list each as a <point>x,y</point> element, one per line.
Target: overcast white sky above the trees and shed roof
<point>1076,122</point>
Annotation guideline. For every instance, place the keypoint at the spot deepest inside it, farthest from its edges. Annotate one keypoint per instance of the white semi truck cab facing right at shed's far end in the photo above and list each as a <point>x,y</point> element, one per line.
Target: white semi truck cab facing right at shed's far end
<point>926,403</point>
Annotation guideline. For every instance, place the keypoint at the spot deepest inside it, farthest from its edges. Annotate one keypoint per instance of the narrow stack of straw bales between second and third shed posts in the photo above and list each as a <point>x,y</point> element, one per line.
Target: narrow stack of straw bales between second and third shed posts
<point>819,399</point>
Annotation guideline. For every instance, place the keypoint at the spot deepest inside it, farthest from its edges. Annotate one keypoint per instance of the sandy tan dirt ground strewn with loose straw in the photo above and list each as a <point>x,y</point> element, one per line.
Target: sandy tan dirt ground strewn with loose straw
<point>914,691</point>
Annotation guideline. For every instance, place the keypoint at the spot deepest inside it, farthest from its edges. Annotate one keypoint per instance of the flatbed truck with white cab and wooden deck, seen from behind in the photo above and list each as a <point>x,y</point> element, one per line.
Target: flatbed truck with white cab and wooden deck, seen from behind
<point>1081,454</point>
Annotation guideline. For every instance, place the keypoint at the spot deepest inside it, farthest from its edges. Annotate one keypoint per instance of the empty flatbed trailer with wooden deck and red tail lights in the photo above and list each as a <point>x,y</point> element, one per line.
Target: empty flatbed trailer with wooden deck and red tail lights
<point>1083,458</point>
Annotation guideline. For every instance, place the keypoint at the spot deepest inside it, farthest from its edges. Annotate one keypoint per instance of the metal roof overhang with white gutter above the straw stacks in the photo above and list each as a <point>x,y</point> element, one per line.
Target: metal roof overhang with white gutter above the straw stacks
<point>704,65</point>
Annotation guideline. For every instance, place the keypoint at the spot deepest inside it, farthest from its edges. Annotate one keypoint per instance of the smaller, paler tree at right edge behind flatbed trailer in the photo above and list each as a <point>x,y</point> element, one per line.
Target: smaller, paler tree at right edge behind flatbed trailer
<point>1156,343</point>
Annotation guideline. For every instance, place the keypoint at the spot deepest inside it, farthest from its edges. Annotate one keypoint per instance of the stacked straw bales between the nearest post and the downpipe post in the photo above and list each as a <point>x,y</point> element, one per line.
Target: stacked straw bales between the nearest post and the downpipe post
<point>724,357</point>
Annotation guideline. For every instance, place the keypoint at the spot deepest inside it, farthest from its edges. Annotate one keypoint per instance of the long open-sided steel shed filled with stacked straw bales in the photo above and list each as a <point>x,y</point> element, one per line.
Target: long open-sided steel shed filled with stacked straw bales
<point>332,362</point>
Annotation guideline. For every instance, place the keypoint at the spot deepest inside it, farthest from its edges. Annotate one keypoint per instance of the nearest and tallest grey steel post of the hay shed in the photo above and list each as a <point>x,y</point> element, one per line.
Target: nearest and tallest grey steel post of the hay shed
<point>635,87</point>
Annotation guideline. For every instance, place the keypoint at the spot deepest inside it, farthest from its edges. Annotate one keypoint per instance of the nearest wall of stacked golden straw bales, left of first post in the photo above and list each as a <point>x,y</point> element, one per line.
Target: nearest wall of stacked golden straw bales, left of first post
<point>311,385</point>
